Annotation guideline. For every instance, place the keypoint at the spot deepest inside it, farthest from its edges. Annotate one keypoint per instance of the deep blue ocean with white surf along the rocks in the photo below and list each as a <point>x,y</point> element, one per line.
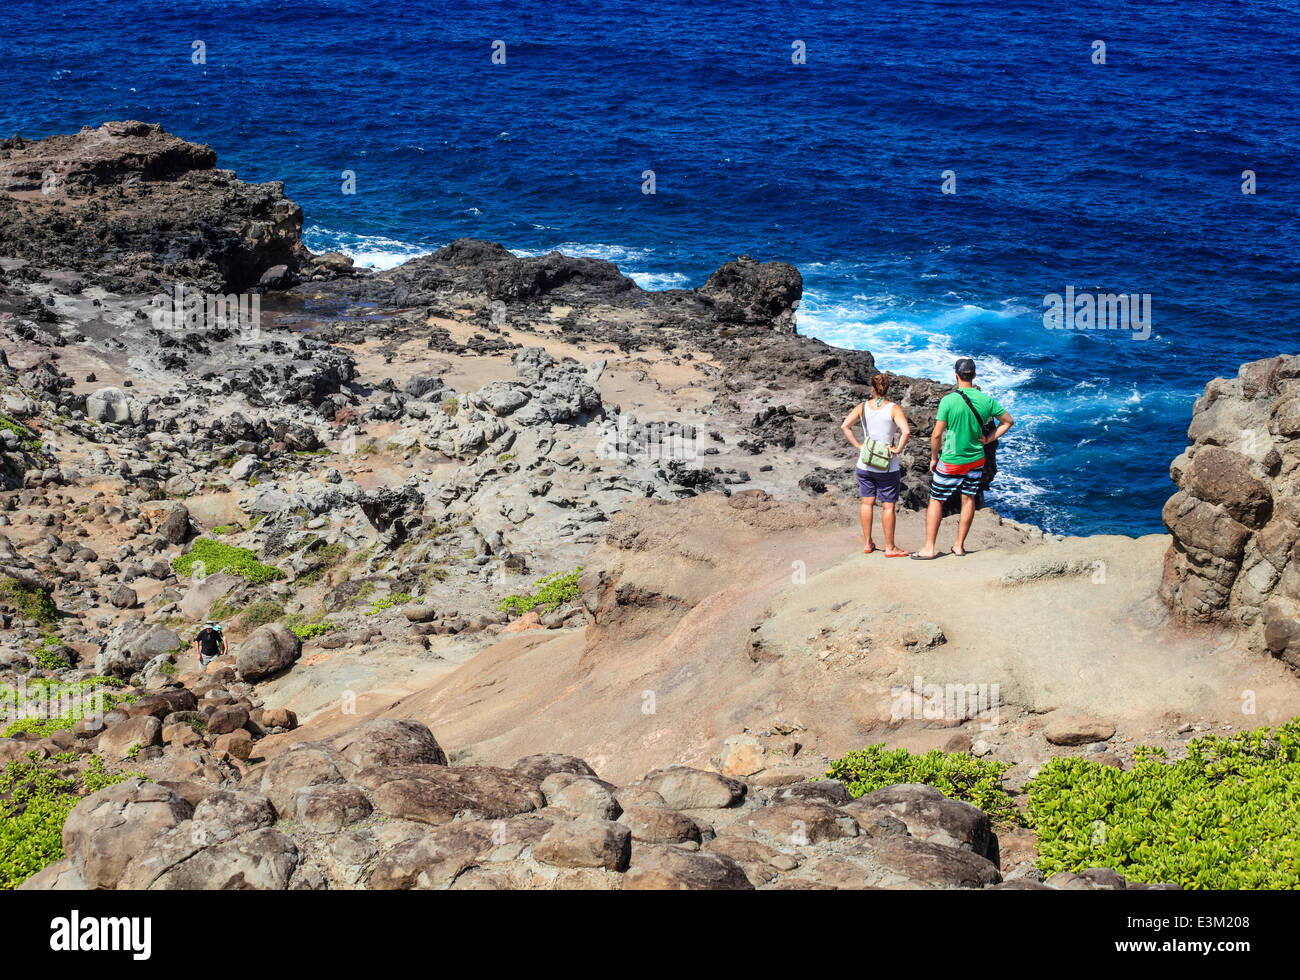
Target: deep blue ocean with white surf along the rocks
<point>1117,177</point>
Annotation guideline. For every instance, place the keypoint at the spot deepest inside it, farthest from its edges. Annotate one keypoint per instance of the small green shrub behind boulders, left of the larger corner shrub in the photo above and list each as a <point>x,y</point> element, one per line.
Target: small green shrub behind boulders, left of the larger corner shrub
<point>956,775</point>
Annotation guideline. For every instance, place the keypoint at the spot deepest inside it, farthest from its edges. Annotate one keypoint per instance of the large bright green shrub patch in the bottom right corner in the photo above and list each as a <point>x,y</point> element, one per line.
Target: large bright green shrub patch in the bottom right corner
<point>1228,817</point>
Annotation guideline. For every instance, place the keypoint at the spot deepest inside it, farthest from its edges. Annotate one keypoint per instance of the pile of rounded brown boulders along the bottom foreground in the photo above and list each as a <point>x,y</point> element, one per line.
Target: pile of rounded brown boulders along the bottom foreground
<point>314,819</point>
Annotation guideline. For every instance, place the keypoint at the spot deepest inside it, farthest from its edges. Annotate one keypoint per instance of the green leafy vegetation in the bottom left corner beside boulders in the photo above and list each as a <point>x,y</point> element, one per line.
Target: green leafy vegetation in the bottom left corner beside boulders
<point>36,800</point>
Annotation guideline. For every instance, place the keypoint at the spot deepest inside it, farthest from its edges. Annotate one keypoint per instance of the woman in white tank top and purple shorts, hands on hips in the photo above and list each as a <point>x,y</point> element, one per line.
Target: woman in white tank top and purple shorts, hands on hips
<point>885,433</point>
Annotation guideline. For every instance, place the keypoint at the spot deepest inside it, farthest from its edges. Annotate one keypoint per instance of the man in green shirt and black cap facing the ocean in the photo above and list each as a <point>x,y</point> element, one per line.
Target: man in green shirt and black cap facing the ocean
<point>964,428</point>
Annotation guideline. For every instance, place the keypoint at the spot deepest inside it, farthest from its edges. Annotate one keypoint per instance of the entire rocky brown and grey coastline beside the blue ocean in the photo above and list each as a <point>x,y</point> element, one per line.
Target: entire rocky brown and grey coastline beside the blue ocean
<point>358,471</point>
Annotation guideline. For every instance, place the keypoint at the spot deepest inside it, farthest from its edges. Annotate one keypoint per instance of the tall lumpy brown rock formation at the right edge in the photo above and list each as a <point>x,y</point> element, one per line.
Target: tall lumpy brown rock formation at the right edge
<point>1236,518</point>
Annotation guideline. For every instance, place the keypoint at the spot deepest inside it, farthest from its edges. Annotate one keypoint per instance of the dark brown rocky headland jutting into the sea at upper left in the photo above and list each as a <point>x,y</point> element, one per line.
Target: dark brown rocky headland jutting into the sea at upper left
<point>135,205</point>
